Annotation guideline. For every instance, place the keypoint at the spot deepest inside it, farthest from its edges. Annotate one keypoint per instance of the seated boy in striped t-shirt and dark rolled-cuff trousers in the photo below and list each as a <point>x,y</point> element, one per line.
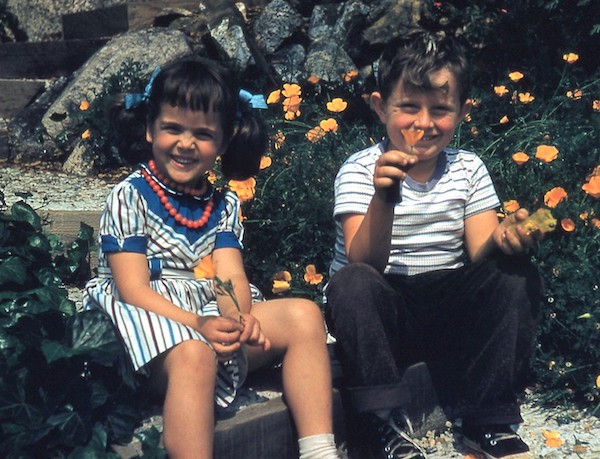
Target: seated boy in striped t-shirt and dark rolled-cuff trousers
<point>423,270</point>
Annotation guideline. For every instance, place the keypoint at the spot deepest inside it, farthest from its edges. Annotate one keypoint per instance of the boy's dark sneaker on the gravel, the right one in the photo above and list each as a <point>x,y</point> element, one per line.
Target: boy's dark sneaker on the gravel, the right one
<point>495,442</point>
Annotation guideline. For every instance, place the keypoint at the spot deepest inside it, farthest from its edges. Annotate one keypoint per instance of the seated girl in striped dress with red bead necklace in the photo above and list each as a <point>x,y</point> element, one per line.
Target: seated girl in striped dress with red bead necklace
<point>188,334</point>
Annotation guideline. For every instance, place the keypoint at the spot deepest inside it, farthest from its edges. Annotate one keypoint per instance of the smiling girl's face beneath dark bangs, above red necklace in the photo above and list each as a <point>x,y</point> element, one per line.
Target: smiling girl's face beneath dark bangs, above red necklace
<point>185,143</point>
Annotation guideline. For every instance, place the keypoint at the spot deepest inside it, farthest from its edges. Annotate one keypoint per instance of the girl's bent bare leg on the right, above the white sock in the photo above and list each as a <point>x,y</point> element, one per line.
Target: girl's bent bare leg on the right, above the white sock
<point>296,330</point>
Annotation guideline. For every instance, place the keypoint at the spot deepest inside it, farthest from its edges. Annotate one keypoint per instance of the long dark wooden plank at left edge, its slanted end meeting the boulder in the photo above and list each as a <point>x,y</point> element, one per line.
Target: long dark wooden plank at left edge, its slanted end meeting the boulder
<point>46,59</point>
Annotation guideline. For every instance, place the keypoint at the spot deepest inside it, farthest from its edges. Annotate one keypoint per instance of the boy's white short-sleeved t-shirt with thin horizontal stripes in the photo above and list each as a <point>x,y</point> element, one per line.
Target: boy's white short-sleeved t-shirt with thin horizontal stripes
<point>428,232</point>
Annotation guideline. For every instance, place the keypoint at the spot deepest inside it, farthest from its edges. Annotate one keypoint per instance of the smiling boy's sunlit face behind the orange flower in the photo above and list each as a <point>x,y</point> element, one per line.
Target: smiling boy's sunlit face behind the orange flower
<point>436,111</point>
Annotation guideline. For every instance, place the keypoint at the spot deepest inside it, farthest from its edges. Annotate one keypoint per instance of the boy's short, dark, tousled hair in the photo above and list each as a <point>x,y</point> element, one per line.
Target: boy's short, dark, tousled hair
<point>412,58</point>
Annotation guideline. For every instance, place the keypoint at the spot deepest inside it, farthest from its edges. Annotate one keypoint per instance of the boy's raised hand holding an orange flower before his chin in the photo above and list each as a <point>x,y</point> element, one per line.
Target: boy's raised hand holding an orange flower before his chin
<point>390,169</point>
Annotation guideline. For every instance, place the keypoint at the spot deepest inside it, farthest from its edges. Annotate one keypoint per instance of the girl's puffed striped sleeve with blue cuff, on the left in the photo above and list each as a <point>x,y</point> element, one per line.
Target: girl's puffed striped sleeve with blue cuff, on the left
<point>123,222</point>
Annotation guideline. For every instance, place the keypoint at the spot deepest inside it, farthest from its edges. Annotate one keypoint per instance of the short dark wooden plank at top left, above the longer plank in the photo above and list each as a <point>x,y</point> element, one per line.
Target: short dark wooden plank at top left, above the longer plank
<point>102,22</point>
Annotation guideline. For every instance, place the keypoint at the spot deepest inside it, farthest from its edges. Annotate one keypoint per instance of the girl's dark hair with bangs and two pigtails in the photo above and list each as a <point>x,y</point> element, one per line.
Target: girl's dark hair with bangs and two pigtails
<point>198,84</point>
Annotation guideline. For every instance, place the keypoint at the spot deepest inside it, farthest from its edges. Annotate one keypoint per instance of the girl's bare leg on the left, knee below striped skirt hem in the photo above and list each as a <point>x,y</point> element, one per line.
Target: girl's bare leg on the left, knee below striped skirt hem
<point>186,375</point>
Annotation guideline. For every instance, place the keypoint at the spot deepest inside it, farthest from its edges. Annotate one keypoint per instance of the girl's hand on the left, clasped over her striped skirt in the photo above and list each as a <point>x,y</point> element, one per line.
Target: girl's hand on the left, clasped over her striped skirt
<point>223,334</point>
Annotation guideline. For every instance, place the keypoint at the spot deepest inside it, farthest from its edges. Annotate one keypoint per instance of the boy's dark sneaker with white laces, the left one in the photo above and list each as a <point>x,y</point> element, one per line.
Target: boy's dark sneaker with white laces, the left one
<point>390,439</point>
